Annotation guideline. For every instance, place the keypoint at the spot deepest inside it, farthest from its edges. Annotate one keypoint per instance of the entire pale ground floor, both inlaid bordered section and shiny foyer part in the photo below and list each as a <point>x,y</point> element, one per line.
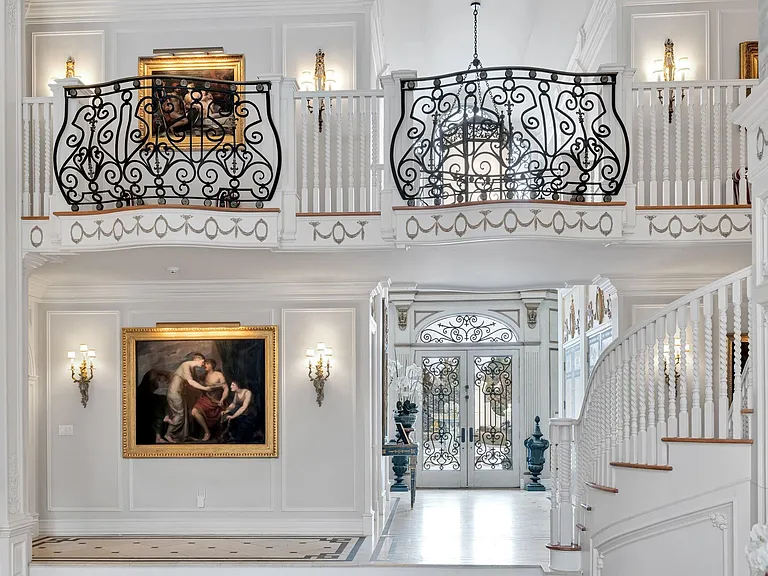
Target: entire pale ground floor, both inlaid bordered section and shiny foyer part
<point>446,527</point>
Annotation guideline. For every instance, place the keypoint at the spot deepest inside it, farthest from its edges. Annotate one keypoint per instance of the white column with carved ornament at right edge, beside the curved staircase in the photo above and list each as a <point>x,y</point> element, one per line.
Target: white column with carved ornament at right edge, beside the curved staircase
<point>753,115</point>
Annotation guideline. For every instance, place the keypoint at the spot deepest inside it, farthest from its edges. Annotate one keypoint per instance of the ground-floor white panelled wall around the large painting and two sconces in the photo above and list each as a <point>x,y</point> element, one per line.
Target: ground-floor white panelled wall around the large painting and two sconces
<point>316,485</point>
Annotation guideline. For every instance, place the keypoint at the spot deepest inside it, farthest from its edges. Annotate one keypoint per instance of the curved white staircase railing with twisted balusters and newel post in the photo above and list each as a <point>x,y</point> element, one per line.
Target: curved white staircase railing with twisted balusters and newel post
<point>646,388</point>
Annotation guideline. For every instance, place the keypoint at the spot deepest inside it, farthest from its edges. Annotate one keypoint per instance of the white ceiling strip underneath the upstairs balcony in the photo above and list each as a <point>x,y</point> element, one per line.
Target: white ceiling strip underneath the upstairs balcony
<point>508,265</point>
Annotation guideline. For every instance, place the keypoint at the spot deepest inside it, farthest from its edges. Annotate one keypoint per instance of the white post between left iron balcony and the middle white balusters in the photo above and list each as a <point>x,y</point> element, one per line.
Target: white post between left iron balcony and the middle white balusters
<point>289,195</point>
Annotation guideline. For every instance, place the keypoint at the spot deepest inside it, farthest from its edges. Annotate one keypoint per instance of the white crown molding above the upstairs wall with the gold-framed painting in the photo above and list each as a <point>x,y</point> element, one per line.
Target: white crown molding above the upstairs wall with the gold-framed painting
<point>60,11</point>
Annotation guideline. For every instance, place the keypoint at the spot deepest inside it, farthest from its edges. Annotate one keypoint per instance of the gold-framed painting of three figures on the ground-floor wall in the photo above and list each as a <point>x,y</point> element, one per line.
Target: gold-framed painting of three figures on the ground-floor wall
<point>200,391</point>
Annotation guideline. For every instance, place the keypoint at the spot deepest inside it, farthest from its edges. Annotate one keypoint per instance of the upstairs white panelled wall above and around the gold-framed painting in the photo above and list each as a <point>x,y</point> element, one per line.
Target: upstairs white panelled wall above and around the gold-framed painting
<point>271,45</point>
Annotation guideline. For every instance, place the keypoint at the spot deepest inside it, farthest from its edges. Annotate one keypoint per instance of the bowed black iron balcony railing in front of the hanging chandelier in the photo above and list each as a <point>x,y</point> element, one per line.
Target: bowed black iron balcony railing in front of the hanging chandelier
<point>509,133</point>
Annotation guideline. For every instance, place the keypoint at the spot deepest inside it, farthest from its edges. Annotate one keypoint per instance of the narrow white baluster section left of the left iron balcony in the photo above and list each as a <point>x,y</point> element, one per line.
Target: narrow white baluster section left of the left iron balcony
<point>37,155</point>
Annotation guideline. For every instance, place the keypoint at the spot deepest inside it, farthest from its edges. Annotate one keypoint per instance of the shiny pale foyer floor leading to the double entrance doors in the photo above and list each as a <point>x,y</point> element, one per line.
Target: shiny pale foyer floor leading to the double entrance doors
<point>468,527</point>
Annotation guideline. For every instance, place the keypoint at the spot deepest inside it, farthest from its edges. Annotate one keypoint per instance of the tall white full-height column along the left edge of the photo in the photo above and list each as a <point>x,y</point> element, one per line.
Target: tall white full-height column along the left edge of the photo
<point>16,524</point>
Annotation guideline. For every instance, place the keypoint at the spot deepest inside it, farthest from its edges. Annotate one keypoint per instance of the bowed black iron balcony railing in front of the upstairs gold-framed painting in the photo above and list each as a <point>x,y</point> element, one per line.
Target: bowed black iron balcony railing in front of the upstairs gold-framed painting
<point>166,139</point>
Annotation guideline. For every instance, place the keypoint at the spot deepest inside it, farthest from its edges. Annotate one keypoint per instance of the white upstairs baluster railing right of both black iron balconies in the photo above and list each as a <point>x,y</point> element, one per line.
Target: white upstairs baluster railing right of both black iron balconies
<point>686,157</point>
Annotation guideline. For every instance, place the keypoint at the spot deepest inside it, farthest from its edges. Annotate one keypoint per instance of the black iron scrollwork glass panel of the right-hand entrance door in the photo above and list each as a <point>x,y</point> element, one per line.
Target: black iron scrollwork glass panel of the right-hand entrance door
<point>492,448</point>
